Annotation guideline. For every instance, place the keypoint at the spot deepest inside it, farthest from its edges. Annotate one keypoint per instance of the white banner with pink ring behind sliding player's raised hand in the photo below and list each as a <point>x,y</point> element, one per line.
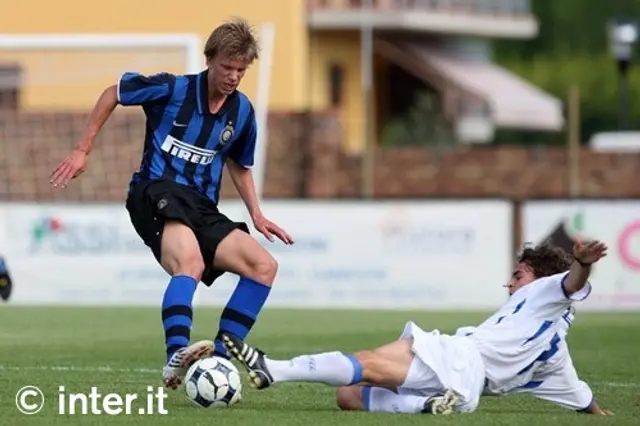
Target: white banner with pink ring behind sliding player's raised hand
<point>616,278</point>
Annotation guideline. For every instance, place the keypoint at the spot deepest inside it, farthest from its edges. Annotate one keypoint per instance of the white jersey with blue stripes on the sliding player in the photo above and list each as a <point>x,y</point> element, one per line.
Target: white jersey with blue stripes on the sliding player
<point>525,333</point>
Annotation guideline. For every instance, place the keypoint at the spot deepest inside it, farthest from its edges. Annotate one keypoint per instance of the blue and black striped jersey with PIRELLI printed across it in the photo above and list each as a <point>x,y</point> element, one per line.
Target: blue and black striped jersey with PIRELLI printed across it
<point>184,142</point>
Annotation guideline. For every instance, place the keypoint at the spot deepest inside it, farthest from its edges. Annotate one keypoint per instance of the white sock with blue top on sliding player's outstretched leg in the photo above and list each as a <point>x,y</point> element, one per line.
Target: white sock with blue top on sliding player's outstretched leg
<point>331,368</point>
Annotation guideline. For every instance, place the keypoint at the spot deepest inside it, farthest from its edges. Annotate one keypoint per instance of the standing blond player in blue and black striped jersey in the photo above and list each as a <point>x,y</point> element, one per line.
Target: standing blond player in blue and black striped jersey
<point>196,125</point>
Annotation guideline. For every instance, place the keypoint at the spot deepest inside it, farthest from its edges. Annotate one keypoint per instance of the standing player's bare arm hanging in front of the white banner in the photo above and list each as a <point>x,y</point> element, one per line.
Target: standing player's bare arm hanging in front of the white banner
<point>243,180</point>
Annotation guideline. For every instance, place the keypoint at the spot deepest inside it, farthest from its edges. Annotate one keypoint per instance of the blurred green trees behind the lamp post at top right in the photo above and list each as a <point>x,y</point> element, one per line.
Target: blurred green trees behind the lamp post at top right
<point>572,48</point>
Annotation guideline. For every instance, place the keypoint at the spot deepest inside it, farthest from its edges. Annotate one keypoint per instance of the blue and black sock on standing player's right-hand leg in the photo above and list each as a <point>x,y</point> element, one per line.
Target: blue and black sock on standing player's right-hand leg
<point>241,311</point>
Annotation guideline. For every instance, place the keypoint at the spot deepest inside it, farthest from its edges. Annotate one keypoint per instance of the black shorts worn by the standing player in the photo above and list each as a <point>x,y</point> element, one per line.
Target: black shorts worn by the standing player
<point>152,202</point>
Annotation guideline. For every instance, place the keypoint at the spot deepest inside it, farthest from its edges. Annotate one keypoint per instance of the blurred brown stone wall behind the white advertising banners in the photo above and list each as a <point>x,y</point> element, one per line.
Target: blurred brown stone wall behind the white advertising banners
<point>305,160</point>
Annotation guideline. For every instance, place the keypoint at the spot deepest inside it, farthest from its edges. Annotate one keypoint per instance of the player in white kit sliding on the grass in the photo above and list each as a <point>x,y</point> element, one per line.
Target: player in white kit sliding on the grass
<point>521,348</point>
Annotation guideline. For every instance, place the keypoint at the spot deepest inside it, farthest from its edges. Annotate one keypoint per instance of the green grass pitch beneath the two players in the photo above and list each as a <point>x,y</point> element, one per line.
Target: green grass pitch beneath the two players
<point>35,340</point>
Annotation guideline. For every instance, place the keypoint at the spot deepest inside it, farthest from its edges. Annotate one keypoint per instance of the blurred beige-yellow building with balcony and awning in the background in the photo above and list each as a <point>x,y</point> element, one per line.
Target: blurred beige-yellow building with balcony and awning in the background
<point>439,47</point>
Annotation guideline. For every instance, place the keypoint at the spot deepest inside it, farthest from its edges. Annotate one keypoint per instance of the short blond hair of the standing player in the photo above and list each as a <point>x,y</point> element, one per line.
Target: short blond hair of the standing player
<point>235,39</point>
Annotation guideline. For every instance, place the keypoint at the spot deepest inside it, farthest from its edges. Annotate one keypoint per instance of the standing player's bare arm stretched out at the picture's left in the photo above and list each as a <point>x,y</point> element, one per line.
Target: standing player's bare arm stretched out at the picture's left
<point>75,162</point>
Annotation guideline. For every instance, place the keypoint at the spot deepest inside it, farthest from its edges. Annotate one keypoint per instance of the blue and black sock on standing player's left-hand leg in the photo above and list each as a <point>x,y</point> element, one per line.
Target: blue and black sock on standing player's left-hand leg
<point>177,312</point>
